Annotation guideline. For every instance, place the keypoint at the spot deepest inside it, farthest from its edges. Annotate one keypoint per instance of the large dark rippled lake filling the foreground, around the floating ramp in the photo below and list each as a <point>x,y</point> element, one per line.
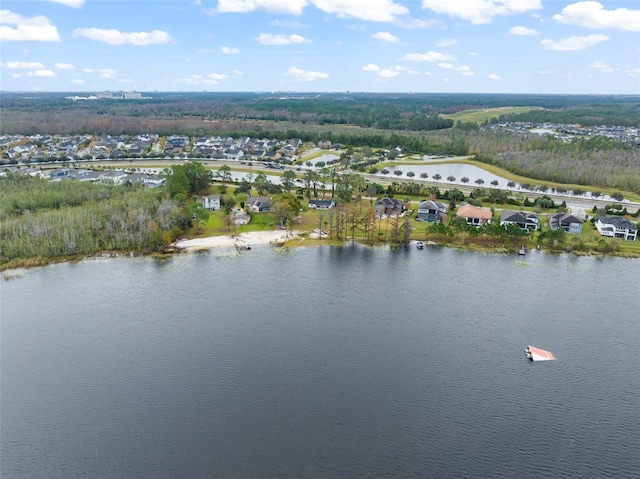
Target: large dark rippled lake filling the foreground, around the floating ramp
<point>322,362</point>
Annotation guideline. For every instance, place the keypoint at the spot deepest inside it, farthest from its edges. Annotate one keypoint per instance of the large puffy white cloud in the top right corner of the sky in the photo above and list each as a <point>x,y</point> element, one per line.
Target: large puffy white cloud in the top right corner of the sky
<point>593,15</point>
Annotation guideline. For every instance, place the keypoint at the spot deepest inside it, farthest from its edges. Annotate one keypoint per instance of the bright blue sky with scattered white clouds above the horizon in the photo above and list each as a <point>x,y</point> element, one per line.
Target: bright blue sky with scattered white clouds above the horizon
<point>484,46</point>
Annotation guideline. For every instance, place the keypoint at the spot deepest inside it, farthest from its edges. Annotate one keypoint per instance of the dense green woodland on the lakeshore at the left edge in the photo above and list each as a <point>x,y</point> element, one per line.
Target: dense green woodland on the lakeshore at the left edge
<point>42,219</point>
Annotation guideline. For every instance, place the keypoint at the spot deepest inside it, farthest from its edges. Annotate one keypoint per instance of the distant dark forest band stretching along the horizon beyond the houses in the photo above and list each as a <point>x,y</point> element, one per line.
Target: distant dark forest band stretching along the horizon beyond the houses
<point>185,113</point>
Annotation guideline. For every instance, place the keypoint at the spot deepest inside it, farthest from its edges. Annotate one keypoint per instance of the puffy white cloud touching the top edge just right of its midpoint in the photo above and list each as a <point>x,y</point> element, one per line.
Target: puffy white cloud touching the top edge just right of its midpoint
<point>369,10</point>
